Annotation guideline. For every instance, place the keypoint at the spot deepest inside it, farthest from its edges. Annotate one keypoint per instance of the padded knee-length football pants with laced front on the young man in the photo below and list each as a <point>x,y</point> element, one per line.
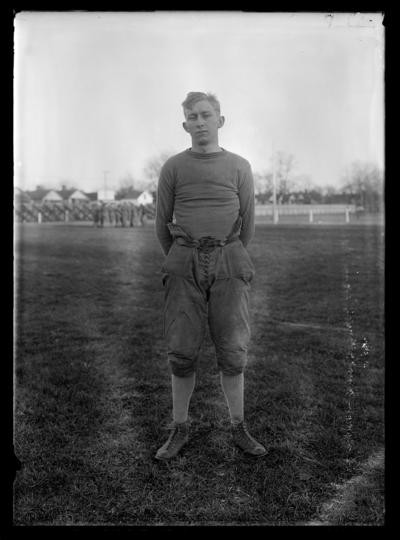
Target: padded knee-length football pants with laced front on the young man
<point>207,287</point>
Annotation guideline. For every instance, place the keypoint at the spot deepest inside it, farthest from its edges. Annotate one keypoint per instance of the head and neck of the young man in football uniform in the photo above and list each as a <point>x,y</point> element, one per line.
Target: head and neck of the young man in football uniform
<point>202,119</point>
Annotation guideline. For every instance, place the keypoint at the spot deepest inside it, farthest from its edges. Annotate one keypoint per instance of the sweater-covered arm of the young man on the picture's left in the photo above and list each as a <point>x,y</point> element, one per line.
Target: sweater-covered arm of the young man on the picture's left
<point>164,208</point>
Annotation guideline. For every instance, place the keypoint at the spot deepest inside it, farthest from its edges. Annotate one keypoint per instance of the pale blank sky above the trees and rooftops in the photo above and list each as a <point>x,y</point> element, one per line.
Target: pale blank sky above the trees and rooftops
<point>96,95</point>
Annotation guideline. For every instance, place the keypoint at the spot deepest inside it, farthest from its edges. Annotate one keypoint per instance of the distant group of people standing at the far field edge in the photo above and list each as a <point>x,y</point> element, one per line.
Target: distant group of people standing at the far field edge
<point>118,214</point>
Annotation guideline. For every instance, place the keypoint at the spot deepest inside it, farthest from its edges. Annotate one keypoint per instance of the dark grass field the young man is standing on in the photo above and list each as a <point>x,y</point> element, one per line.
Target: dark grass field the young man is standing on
<point>92,395</point>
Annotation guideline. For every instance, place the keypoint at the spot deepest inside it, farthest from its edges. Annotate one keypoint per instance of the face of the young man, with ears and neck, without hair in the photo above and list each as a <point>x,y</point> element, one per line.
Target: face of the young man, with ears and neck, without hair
<point>202,123</point>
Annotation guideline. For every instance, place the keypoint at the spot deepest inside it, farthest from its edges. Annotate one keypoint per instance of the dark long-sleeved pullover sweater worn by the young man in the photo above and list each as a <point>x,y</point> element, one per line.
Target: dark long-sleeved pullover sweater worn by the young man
<point>205,193</point>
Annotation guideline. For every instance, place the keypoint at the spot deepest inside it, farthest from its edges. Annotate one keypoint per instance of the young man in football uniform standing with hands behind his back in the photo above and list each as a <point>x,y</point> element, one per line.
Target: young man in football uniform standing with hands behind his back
<point>204,221</point>
